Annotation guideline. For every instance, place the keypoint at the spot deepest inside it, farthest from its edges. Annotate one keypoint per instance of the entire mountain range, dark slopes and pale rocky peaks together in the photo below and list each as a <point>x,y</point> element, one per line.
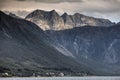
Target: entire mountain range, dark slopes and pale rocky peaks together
<point>71,44</point>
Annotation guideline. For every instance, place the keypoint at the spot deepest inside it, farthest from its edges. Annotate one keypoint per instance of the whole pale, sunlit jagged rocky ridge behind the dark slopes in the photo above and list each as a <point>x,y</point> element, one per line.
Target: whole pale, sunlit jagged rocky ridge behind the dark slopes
<point>51,20</point>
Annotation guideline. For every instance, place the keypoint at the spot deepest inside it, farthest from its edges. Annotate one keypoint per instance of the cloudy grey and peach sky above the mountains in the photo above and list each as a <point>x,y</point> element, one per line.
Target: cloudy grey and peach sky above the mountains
<point>108,9</point>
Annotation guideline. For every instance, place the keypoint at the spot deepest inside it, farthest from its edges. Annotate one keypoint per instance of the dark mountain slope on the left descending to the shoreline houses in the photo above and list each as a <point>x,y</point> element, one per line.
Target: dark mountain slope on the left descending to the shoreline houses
<point>25,49</point>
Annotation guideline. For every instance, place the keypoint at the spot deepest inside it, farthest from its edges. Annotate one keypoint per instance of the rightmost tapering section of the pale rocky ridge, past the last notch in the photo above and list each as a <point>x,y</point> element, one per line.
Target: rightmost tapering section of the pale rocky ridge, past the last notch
<point>82,20</point>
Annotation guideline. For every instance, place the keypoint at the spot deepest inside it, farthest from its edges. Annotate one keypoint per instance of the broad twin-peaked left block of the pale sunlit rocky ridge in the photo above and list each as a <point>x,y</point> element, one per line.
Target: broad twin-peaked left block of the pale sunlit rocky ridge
<point>46,20</point>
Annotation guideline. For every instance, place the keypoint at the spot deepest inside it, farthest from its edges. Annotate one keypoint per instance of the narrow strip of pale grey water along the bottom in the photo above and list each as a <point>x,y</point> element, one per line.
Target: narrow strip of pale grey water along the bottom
<point>63,78</point>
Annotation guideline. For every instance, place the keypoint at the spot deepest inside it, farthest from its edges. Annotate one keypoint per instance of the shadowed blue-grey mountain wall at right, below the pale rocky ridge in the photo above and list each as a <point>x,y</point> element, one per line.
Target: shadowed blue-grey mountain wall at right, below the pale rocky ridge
<point>96,47</point>
